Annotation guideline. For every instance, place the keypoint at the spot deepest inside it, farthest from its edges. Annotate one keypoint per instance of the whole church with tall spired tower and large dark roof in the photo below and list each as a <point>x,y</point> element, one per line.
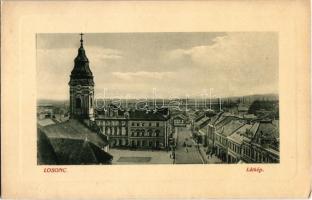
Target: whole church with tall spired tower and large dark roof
<point>75,141</point>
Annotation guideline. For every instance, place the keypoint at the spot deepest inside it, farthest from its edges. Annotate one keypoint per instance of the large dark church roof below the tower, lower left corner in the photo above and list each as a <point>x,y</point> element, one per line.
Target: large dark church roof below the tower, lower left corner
<point>71,142</point>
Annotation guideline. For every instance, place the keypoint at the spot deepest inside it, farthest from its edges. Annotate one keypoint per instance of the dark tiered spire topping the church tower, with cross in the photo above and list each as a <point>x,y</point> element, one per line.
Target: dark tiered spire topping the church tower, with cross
<point>81,74</point>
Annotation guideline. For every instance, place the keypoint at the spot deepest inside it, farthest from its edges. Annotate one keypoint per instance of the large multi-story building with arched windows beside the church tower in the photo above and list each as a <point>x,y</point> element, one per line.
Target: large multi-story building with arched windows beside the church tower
<point>147,129</point>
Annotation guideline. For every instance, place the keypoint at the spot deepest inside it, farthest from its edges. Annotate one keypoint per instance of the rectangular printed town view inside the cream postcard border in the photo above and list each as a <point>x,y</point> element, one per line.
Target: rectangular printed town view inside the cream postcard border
<point>158,98</point>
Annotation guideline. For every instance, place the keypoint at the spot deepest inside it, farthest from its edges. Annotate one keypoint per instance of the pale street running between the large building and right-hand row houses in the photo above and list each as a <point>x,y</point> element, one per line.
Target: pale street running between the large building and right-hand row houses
<point>188,154</point>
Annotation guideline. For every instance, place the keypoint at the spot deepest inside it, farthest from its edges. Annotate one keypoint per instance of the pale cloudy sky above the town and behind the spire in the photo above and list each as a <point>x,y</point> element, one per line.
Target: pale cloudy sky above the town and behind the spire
<point>165,65</point>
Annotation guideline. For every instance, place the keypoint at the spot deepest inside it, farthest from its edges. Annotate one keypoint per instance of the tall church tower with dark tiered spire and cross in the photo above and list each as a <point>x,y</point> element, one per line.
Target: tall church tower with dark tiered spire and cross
<point>81,86</point>
